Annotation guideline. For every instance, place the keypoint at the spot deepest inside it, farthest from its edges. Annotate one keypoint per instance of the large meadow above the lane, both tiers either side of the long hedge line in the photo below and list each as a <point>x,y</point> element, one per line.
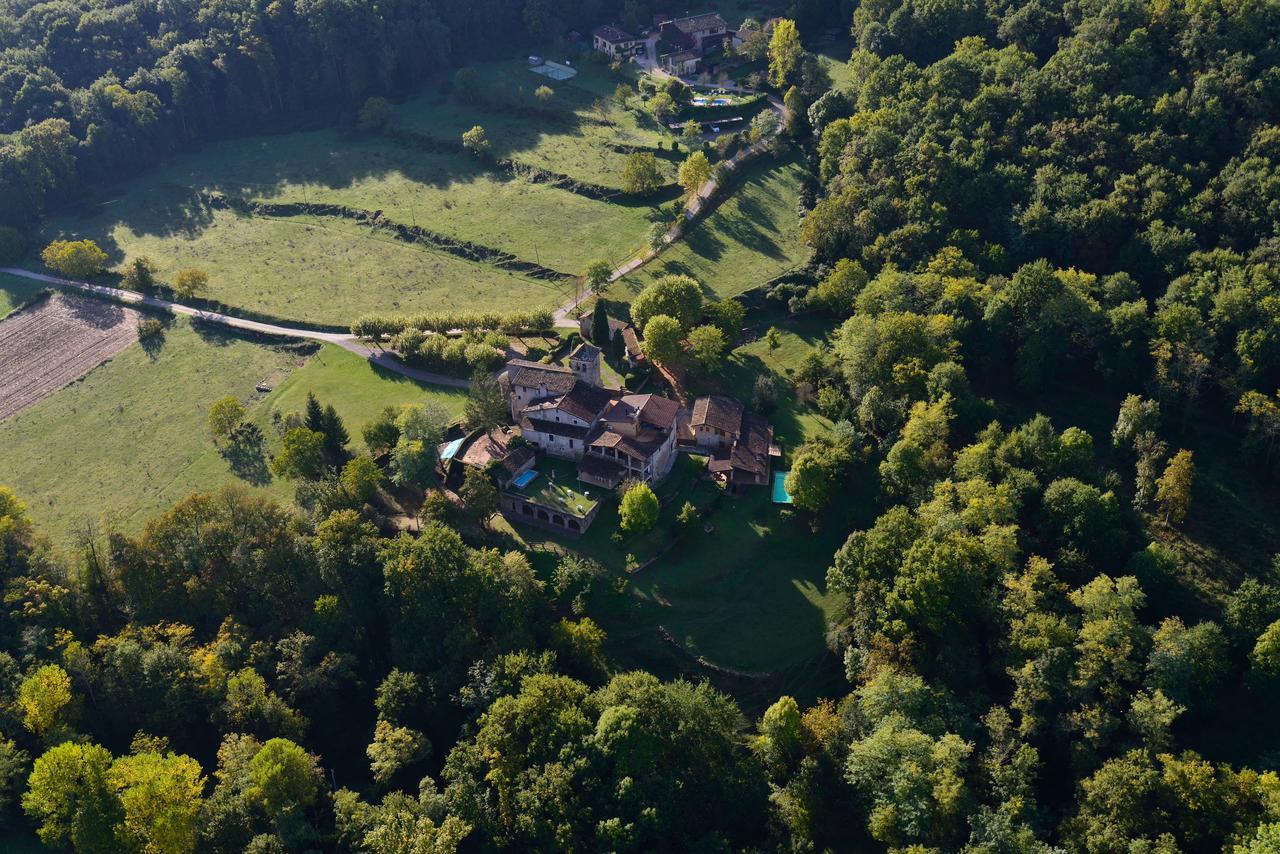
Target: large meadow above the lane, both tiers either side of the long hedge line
<point>240,209</point>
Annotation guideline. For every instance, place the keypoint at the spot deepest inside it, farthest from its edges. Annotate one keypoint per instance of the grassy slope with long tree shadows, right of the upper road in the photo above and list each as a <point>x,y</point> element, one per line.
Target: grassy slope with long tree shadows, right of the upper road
<point>751,239</point>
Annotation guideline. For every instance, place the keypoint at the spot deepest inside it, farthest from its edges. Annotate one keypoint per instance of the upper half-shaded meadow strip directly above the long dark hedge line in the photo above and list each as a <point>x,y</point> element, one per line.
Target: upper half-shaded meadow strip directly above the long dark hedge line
<point>449,194</point>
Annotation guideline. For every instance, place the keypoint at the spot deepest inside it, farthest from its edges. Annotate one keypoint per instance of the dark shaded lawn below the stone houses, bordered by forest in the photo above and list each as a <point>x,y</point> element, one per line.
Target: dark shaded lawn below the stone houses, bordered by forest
<point>749,596</point>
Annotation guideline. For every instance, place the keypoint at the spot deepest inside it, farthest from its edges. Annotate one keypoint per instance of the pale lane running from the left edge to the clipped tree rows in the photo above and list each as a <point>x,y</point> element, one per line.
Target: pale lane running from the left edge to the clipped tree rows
<point>378,357</point>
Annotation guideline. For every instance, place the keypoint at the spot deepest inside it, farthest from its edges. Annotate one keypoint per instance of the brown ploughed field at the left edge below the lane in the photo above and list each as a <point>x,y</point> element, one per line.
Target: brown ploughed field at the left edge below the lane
<point>56,342</point>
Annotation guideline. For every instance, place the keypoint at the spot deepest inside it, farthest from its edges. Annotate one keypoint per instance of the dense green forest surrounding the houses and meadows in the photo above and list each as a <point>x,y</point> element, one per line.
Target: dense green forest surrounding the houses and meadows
<point>1046,243</point>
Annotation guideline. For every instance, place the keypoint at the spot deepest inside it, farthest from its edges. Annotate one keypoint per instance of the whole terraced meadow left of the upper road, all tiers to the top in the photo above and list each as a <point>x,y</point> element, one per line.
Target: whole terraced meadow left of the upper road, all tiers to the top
<point>331,271</point>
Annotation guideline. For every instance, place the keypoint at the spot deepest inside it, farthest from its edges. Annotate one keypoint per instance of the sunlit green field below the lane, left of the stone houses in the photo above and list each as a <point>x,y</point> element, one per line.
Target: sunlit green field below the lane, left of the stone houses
<point>130,440</point>
